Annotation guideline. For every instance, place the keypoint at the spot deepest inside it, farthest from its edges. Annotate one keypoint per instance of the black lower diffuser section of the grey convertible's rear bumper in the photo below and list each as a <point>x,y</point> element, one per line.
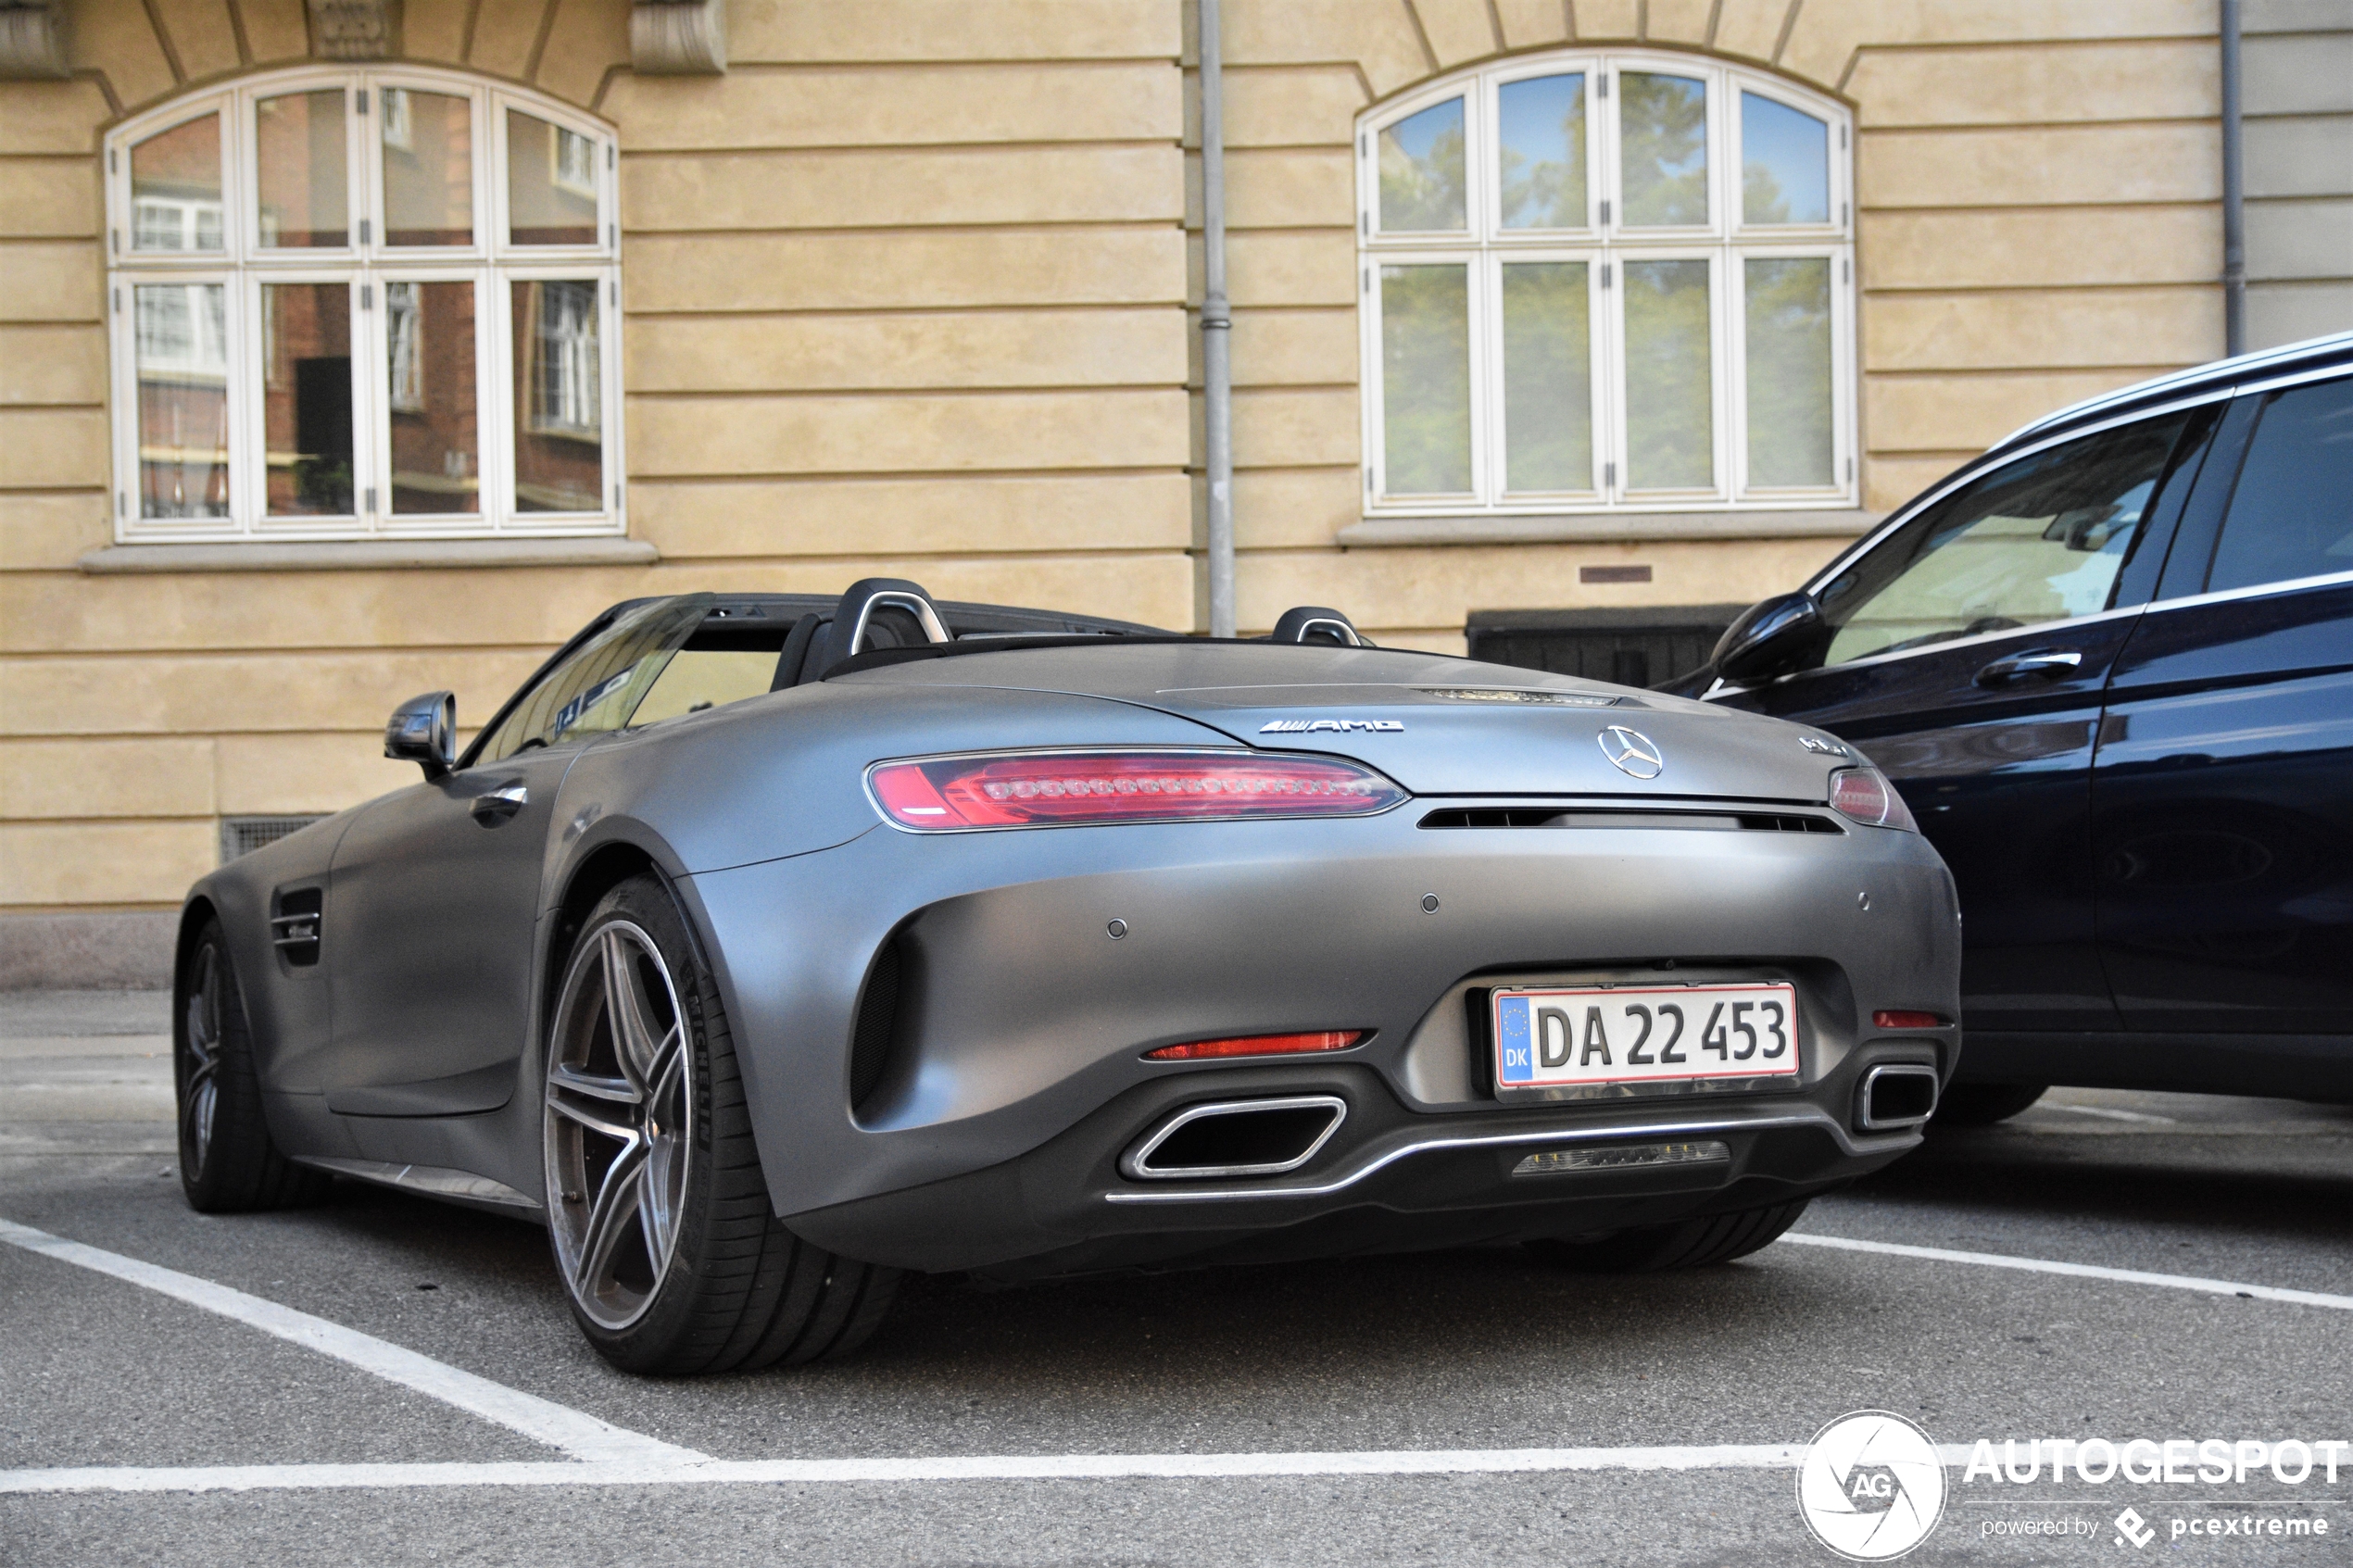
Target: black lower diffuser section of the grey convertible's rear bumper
<point>1389,1179</point>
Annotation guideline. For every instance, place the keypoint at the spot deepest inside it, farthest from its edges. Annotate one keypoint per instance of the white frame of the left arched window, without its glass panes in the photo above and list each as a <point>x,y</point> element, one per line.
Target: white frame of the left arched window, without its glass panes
<point>366,264</point>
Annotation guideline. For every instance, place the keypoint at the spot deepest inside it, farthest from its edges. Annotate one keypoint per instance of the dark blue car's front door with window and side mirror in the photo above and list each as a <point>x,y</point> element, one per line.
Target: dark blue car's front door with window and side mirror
<point>1966,657</point>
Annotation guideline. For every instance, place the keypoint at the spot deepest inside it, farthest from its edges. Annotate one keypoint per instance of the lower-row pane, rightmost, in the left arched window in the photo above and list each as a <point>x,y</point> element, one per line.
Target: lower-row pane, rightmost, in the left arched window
<point>559,398</point>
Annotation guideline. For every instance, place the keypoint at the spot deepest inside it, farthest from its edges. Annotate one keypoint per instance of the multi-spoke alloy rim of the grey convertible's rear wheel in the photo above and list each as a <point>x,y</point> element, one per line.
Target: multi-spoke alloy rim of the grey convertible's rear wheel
<point>618,1125</point>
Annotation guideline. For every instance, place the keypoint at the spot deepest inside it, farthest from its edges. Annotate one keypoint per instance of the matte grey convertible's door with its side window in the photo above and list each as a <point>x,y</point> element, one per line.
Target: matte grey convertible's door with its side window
<point>439,890</point>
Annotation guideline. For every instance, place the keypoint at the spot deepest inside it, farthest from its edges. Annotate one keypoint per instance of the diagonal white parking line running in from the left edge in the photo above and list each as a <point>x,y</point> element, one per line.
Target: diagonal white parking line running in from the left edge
<point>545,1421</point>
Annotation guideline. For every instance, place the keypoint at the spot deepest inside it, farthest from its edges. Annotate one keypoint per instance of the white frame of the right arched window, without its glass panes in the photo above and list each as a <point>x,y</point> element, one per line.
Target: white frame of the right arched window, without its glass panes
<point>1608,243</point>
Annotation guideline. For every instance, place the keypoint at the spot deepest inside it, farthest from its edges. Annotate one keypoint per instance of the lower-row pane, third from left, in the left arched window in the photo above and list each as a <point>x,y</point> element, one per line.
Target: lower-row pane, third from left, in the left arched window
<point>436,450</point>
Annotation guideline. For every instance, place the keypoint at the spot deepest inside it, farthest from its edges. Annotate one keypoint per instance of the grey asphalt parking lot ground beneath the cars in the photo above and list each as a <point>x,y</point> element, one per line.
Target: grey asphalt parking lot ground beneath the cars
<point>2211,1299</point>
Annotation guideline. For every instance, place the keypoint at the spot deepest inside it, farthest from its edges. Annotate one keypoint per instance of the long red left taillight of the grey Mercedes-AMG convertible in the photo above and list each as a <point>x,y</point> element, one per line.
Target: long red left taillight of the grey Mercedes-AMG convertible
<point>1079,789</point>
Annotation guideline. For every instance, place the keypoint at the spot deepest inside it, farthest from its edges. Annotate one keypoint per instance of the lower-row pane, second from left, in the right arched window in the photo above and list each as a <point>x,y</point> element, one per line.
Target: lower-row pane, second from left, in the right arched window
<point>1547,377</point>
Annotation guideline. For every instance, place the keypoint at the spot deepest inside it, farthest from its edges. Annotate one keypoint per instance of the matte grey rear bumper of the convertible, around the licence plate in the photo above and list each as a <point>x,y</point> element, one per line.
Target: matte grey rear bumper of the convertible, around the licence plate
<point>1015,1076</point>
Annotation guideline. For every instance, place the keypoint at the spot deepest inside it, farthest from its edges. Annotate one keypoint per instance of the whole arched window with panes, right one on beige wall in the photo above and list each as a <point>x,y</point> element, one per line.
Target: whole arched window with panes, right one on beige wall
<point>1606,283</point>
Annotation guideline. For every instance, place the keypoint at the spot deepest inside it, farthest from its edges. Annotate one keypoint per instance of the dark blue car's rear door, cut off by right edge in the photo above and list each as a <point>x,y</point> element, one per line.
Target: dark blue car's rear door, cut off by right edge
<point>2225,779</point>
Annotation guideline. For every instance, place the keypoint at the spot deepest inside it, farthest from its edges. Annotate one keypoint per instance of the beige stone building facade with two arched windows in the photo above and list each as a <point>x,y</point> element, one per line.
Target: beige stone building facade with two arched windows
<point>912,288</point>
